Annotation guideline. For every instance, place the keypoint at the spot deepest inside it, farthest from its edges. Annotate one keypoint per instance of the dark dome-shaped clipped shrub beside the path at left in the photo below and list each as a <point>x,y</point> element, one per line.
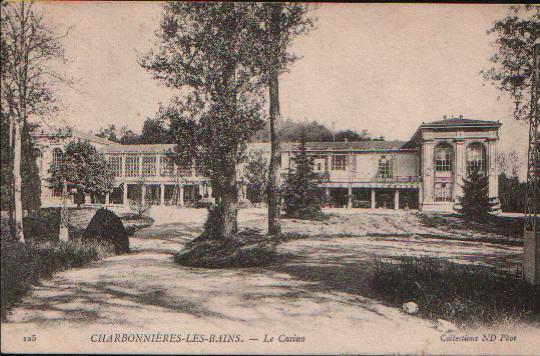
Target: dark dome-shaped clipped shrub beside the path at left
<point>105,226</point>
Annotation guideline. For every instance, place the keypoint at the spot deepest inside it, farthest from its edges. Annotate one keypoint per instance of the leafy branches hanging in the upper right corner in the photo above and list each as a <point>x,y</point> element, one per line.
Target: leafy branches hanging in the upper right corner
<point>512,68</point>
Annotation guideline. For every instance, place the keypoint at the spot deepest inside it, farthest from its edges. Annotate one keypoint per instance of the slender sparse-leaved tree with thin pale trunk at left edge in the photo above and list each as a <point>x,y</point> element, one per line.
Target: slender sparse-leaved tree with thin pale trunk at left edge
<point>28,47</point>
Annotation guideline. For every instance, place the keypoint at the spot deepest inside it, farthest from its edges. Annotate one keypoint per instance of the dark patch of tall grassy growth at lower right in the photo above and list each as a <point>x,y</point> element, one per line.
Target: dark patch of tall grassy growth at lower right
<point>468,295</point>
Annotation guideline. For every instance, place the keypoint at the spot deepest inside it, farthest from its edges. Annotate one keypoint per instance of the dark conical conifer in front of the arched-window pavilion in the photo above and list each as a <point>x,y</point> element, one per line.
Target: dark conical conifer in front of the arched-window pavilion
<point>475,203</point>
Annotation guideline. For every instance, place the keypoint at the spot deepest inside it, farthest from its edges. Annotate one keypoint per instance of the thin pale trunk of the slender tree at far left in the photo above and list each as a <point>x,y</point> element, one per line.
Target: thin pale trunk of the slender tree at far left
<point>17,183</point>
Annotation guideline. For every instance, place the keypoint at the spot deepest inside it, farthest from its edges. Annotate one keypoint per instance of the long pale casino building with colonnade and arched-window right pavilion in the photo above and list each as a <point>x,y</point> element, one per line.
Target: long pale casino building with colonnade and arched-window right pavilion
<point>423,173</point>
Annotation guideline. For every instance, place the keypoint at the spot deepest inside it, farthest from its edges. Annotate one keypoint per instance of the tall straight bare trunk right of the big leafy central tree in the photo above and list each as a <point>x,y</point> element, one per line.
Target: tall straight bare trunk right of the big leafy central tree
<point>273,187</point>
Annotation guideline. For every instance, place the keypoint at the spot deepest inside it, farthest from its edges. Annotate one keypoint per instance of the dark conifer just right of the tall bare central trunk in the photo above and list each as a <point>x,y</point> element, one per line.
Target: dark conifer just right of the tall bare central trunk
<point>302,196</point>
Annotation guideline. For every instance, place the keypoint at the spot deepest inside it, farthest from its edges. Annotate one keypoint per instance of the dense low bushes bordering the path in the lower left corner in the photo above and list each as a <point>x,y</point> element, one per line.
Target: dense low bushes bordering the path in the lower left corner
<point>23,265</point>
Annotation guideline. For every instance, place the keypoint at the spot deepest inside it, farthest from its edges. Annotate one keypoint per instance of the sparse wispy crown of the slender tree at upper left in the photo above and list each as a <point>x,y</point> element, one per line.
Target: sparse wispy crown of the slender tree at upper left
<point>29,47</point>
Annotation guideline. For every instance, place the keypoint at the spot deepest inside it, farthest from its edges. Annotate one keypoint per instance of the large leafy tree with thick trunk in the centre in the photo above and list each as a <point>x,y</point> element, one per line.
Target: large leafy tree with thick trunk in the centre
<point>210,53</point>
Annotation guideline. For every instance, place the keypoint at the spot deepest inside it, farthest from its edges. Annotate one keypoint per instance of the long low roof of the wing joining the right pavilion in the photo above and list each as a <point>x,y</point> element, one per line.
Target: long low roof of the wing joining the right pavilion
<point>348,146</point>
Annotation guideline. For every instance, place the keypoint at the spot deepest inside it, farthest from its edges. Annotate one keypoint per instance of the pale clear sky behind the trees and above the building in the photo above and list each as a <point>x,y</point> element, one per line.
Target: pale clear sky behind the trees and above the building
<point>382,67</point>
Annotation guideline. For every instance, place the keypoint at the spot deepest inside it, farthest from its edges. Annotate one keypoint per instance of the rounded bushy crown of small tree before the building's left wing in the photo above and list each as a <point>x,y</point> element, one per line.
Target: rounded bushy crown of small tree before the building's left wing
<point>82,168</point>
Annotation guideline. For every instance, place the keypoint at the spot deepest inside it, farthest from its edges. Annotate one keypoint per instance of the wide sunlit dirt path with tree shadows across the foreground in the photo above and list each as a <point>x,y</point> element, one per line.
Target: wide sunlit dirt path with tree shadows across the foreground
<point>315,290</point>
